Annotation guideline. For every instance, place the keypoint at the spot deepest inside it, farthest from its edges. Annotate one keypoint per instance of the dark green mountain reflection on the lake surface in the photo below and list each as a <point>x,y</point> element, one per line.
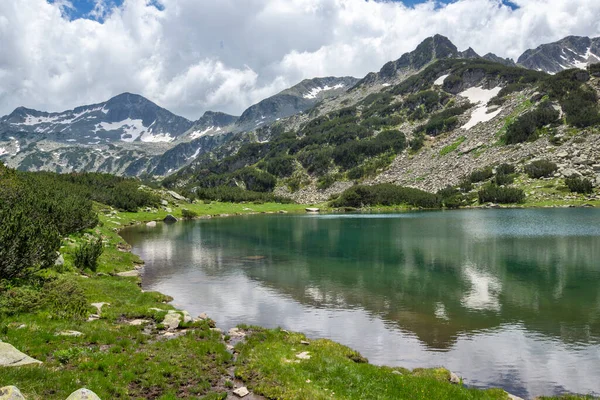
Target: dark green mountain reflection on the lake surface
<point>437,275</point>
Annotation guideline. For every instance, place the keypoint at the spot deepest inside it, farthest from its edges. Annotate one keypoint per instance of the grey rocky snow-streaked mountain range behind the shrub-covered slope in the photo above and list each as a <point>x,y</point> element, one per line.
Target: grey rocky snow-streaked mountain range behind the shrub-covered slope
<point>130,135</point>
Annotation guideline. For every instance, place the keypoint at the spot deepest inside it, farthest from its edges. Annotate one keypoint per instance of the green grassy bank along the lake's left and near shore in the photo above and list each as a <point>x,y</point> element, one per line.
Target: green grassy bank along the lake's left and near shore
<point>117,360</point>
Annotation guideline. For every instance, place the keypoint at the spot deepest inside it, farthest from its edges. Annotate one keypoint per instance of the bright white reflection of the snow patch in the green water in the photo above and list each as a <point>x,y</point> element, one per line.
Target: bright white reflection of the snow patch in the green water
<point>485,290</point>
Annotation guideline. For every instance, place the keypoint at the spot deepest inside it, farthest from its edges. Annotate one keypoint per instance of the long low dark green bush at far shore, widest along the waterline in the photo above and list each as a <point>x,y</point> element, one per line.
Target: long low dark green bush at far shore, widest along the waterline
<point>386,194</point>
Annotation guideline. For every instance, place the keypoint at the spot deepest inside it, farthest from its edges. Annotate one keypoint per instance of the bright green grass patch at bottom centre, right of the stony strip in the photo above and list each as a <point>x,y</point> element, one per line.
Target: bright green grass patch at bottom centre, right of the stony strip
<point>268,363</point>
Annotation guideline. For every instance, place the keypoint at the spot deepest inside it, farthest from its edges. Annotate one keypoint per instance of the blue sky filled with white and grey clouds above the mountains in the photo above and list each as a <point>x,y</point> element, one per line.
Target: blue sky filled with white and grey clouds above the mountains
<point>190,56</point>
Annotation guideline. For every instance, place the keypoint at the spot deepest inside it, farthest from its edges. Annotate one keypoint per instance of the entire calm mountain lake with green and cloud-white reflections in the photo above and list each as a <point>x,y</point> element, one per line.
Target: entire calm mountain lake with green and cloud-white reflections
<point>507,298</point>
